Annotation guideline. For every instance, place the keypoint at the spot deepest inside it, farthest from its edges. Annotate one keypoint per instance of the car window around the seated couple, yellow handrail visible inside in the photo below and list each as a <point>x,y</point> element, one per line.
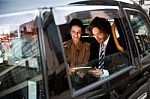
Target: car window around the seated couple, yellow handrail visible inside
<point>115,63</point>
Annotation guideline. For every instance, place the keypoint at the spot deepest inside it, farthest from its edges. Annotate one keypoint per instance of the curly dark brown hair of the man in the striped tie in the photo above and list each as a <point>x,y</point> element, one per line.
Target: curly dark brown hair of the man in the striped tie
<point>100,23</point>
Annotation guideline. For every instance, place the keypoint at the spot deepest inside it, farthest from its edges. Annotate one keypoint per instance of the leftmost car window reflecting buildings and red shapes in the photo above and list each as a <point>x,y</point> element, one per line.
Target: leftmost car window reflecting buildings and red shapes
<point>20,59</point>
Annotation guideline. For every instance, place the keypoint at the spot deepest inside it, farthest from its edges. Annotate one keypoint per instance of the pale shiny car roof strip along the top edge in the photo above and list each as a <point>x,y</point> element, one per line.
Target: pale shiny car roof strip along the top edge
<point>11,6</point>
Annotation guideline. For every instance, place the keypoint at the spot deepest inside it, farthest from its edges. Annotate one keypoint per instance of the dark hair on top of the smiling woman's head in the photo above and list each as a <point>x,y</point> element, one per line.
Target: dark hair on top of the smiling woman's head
<point>76,22</point>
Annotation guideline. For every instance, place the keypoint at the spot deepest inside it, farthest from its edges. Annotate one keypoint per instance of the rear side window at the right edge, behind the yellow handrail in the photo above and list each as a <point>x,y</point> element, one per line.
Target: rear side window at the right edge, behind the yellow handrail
<point>141,31</point>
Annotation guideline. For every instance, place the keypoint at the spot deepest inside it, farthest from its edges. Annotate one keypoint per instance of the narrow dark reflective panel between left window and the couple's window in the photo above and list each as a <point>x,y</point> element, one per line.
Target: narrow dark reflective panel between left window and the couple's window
<point>57,77</point>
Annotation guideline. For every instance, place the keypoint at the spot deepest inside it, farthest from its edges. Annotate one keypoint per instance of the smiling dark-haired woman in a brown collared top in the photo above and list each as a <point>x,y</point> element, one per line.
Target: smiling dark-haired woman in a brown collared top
<point>77,52</point>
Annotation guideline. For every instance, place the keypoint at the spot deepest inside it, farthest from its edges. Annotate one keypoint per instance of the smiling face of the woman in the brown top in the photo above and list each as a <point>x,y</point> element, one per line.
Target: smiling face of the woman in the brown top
<point>75,33</point>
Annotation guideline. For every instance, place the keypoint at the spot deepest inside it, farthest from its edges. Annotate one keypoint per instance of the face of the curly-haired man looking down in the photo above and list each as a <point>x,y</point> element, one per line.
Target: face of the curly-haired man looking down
<point>99,35</point>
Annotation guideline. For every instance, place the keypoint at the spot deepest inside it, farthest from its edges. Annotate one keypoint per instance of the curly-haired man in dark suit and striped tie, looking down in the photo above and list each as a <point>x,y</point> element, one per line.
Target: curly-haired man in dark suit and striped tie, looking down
<point>100,28</point>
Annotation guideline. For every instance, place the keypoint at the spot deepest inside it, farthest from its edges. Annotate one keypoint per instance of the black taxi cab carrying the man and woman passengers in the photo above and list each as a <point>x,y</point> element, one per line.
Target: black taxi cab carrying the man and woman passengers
<point>33,62</point>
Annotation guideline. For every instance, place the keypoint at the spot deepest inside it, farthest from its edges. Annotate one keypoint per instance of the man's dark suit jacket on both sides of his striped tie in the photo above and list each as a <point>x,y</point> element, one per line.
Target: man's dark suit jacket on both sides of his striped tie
<point>94,50</point>
